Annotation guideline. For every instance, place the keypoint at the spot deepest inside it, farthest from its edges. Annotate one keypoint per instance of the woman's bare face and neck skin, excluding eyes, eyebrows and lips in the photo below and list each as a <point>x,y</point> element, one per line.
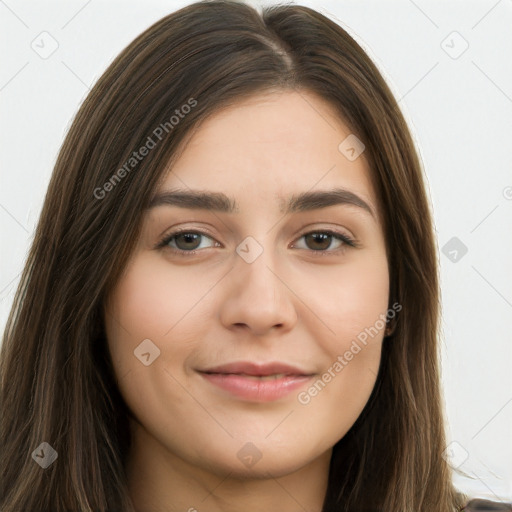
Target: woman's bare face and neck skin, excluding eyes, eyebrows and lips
<point>291,304</point>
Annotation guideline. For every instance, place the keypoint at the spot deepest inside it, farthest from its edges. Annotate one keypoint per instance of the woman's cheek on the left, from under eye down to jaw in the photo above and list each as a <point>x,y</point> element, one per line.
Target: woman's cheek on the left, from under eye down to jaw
<point>143,307</point>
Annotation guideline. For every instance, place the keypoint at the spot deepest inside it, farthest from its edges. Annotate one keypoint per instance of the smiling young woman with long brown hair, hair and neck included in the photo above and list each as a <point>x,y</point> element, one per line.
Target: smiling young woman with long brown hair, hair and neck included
<point>288,364</point>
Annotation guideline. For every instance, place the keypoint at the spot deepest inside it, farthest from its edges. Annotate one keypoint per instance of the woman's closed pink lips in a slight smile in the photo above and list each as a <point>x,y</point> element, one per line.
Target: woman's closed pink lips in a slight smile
<point>257,382</point>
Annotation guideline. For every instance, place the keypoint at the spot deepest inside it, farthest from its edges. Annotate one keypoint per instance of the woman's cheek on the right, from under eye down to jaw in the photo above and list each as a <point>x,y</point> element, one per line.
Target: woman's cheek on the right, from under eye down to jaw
<point>350,303</point>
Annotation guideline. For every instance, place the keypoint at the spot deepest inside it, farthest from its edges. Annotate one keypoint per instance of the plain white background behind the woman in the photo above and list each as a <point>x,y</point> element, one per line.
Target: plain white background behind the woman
<point>459,107</point>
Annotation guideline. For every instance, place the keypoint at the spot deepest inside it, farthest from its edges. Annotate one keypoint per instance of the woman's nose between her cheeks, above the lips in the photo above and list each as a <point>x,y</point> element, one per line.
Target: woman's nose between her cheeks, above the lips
<point>257,298</point>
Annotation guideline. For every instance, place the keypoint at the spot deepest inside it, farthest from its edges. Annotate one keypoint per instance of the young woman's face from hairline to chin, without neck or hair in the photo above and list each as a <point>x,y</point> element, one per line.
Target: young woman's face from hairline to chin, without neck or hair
<point>264,289</point>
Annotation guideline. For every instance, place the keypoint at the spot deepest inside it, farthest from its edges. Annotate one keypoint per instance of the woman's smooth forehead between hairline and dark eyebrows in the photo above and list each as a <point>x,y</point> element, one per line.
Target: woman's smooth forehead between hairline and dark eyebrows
<point>270,147</point>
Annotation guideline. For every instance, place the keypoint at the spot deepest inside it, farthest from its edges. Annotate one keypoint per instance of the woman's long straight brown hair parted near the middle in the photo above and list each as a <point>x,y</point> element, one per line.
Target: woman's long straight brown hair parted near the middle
<point>57,383</point>
